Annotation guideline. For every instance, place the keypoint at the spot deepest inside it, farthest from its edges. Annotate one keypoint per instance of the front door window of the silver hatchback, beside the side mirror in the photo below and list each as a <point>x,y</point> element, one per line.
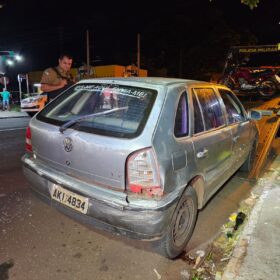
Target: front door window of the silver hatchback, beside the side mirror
<point>233,109</point>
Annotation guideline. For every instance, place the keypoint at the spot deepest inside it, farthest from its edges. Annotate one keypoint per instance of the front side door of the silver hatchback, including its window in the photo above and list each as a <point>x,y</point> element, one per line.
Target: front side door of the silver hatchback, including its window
<point>239,125</point>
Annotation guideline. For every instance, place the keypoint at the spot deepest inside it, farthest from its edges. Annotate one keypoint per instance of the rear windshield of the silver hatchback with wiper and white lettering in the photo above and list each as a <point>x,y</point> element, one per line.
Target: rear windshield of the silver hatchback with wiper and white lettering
<point>105,109</point>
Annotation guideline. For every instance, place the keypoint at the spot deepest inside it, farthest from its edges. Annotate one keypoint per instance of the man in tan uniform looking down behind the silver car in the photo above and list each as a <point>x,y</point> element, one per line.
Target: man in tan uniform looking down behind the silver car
<point>57,79</point>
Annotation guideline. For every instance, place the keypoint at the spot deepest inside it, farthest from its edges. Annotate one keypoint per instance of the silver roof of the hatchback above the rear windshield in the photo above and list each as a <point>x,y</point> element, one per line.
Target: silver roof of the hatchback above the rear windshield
<point>146,80</point>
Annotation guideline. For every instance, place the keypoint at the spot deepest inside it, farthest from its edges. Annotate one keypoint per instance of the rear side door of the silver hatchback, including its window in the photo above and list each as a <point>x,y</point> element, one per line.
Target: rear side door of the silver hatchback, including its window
<point>212,139</point>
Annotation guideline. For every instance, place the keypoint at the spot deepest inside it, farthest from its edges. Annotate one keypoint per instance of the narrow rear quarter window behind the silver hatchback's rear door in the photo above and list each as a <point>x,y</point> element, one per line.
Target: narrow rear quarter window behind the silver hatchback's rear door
<point>181,127</point>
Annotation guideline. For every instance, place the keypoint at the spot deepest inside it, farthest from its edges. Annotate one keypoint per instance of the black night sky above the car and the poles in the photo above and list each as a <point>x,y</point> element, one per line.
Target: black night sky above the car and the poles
<point>200,30</point>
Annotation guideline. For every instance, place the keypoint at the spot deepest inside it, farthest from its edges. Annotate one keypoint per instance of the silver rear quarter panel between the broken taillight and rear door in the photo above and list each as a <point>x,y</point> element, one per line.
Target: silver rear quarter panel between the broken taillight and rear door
<point>175,155</point>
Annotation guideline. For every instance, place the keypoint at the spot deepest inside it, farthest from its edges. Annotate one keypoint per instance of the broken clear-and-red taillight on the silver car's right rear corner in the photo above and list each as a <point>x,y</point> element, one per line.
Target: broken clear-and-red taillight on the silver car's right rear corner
<point>143,174</point>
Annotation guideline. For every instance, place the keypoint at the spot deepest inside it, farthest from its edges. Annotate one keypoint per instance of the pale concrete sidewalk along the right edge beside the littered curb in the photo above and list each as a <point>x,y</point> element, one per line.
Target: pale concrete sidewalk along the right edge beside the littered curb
<point>257,253</point>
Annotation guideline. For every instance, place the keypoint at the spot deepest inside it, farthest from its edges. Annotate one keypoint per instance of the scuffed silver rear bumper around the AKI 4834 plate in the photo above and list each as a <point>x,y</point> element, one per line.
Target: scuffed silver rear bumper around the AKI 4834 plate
<point>108,210</point>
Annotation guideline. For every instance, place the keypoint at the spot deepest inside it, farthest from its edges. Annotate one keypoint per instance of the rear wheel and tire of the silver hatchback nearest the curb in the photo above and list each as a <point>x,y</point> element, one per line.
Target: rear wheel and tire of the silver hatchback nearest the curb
<point>182,225</point>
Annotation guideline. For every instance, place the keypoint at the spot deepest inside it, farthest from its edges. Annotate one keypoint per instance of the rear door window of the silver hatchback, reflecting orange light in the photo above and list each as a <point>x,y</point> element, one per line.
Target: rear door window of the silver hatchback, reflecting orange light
<point>211,108</point>
